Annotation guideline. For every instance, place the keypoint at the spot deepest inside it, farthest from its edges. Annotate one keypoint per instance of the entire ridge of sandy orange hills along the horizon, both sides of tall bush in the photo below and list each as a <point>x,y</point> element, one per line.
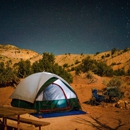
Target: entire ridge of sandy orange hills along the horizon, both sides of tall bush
<point>120,59</point>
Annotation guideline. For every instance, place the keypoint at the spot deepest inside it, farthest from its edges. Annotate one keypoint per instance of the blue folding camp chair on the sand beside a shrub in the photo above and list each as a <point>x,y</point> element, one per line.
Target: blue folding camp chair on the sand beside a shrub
<point>96,98</point>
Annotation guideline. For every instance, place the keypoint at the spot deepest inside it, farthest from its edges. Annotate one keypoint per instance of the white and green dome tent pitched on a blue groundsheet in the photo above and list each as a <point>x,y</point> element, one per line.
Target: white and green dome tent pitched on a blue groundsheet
<point>45,92</point>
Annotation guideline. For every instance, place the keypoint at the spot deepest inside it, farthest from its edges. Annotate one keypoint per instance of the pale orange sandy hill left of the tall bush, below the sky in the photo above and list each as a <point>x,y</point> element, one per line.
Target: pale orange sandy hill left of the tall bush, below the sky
<point>15,54</point>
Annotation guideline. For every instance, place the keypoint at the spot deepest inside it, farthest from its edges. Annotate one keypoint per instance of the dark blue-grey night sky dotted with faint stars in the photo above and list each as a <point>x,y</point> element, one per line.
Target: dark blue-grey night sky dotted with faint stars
<point>65,26</point>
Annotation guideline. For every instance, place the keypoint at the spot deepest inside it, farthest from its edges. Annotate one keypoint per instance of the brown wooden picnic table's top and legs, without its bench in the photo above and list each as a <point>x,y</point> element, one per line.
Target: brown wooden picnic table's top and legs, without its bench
<point>7,111</point>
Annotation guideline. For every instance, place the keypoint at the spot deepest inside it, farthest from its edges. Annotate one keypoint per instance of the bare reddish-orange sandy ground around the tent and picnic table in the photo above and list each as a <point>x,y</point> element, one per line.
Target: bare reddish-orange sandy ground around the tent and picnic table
<point>106,117</point>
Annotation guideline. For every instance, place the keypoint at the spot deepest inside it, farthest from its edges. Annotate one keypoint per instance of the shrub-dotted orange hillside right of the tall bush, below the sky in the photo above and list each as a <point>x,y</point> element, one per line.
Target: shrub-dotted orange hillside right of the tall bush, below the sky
<point>119,60</point>
